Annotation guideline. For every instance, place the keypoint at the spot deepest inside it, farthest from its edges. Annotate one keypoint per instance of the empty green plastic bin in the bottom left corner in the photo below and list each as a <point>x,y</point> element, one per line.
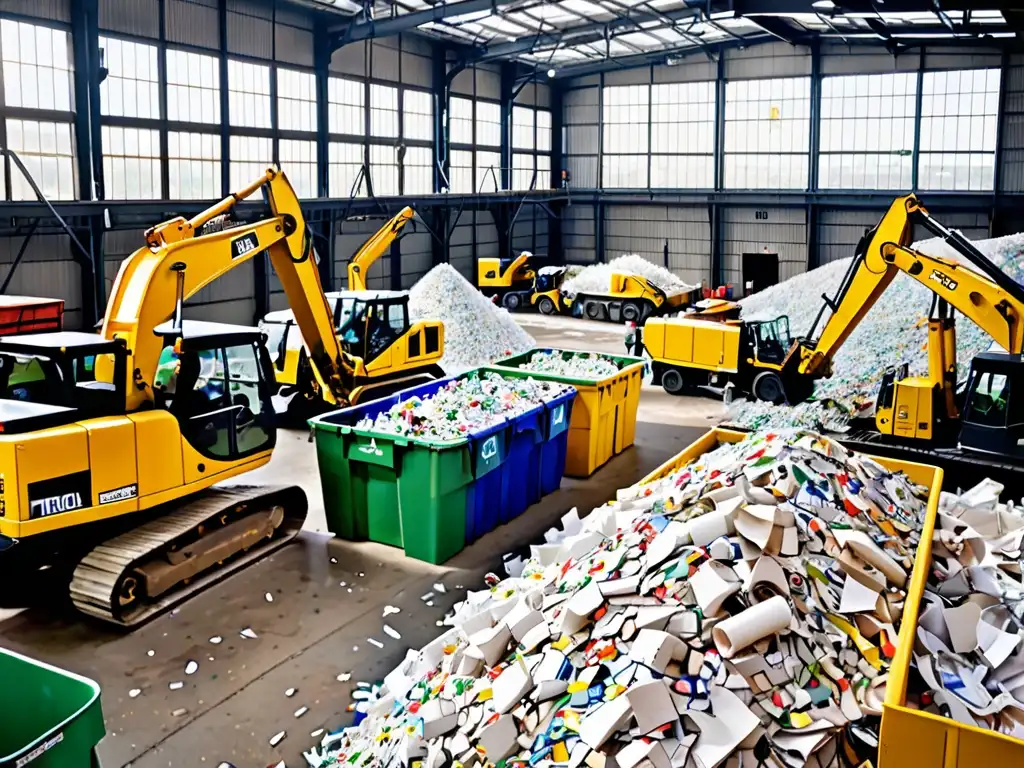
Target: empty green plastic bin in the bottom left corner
<point>50,718</point>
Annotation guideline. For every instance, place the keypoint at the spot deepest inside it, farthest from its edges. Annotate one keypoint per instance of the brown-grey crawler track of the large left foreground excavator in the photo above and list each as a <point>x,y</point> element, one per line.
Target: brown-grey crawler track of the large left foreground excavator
<point>132,578</point>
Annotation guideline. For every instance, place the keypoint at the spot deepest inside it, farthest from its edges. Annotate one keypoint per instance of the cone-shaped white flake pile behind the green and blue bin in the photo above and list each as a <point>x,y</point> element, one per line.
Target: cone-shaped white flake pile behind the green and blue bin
<point>477,332</point>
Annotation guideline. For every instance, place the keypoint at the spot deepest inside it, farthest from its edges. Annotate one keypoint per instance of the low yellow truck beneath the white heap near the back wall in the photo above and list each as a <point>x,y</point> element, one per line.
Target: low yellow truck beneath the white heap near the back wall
<point>630,298</point>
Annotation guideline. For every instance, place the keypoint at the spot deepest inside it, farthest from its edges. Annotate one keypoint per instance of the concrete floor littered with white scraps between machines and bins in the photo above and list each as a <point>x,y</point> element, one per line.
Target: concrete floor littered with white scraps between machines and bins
<point>329,599</point>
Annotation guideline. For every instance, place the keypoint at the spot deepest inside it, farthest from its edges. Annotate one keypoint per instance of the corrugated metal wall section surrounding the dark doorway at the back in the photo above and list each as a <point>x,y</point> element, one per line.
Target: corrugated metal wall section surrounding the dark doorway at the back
<point>783,231</point>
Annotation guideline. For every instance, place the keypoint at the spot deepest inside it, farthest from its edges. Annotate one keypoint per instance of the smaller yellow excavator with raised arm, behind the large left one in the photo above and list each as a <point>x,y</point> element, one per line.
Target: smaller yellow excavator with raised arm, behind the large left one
<point>372,325</point>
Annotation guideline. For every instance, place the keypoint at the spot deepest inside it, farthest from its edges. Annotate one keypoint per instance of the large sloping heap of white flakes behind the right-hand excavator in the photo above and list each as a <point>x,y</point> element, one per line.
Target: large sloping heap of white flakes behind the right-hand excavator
<point>895,331</point>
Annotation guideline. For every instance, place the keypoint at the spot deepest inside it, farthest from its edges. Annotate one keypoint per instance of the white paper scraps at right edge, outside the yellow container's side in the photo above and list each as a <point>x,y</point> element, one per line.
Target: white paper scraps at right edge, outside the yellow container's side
<point>969,652</point>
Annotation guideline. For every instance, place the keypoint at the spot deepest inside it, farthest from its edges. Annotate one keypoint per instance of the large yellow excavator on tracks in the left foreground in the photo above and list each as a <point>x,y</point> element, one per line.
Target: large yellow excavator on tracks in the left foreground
<point>110,442</point>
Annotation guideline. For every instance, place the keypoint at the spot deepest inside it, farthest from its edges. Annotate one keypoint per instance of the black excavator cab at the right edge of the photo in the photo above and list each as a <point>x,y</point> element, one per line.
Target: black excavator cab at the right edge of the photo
<point>993,420</point>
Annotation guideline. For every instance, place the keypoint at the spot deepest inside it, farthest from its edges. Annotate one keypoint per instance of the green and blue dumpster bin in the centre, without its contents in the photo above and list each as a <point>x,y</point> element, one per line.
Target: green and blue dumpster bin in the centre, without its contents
<point>431,497</point>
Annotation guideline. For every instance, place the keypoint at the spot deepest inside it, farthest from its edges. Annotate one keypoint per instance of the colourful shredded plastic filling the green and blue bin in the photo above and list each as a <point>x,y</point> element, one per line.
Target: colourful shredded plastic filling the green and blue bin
<point>463,406</point>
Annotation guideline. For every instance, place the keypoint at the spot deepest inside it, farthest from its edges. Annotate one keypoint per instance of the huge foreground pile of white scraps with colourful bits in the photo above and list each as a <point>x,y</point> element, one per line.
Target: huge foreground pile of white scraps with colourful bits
<point>742,607</point>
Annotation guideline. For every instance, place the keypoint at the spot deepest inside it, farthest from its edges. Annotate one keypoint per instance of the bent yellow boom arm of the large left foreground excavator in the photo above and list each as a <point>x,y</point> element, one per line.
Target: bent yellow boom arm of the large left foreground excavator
<point>145,293</point>
